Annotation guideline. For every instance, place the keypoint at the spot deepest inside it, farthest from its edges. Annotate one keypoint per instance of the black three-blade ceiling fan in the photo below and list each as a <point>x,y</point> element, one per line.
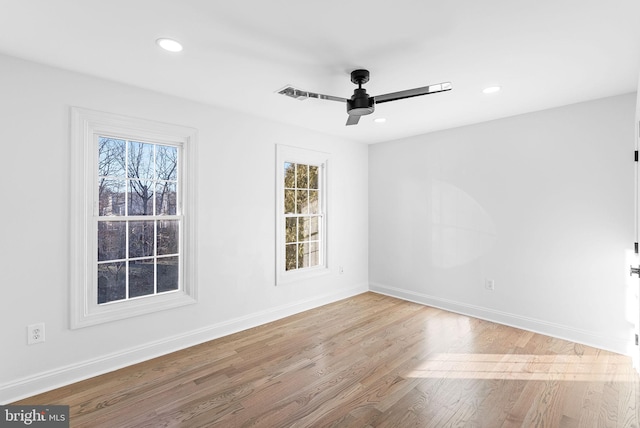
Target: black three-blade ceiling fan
<point>360,103</point>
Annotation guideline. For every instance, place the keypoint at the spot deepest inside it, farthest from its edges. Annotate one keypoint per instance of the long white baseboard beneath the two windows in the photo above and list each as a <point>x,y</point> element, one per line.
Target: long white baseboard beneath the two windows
<point>46,381</point>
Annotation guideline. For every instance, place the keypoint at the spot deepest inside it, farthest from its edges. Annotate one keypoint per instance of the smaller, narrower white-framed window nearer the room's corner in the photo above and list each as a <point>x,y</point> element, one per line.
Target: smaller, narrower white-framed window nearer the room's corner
<point>301,213</point>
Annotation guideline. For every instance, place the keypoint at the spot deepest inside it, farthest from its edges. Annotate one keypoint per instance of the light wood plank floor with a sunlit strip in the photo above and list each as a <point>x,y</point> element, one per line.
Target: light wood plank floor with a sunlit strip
<point>368,361</point>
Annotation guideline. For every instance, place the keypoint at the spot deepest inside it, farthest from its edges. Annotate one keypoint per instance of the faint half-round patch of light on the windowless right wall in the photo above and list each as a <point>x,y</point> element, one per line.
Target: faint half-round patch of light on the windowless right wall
<point>462,230</point>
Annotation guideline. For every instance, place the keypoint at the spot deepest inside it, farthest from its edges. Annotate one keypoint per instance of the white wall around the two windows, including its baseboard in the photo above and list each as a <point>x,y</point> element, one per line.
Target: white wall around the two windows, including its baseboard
<point>236,228</point>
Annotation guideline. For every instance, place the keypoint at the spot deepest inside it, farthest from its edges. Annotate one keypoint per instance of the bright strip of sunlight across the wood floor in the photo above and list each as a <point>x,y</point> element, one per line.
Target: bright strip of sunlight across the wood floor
<point>523,367</point>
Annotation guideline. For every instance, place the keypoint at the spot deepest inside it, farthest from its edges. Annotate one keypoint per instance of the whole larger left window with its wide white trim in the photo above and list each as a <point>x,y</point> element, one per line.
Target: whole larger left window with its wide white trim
<point>133,217</point>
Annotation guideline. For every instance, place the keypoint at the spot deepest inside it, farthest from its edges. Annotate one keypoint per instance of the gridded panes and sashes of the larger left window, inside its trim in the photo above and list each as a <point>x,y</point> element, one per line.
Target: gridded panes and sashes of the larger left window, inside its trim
<point>137,222</point>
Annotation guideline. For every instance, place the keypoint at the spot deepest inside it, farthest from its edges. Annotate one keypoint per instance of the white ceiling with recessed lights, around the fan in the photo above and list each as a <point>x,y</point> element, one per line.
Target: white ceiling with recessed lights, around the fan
<point>237,54</point>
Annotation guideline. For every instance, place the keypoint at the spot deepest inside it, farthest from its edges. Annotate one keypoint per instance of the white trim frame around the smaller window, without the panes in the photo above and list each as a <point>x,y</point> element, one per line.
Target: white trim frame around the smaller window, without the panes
<point>284,154</point>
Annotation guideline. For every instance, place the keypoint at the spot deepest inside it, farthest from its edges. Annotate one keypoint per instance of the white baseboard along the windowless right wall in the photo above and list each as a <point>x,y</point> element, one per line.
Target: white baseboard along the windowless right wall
<point>525,323</point>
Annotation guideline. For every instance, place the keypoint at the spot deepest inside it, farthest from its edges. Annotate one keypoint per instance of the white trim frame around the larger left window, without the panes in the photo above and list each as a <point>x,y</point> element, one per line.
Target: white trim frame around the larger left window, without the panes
<point>85,125</point>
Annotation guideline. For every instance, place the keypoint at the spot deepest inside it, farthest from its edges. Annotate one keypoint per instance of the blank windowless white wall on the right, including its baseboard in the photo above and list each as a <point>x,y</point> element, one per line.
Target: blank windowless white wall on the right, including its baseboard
<point>542,203</point>
